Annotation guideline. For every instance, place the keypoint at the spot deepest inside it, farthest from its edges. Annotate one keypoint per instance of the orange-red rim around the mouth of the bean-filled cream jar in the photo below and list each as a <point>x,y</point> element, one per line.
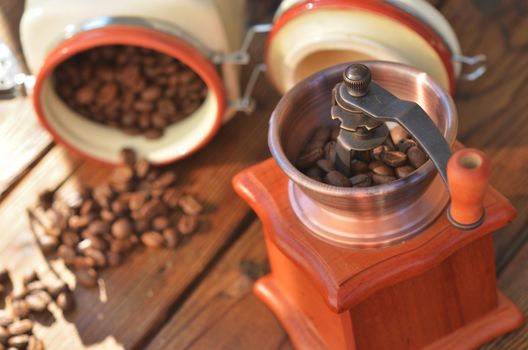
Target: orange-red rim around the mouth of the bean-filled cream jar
<point>140,37</point>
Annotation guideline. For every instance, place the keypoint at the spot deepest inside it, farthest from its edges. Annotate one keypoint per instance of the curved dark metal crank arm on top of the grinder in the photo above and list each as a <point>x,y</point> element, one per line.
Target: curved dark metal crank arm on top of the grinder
<point>384,106</point>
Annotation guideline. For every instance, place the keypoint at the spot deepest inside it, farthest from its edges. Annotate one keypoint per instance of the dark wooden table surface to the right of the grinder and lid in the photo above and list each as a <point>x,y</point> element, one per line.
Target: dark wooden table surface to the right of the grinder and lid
<point>492,110</point>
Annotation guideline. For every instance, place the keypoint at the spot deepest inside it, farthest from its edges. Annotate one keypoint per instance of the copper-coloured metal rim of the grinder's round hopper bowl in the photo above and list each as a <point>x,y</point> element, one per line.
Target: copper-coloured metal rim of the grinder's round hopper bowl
<point>278,153</point>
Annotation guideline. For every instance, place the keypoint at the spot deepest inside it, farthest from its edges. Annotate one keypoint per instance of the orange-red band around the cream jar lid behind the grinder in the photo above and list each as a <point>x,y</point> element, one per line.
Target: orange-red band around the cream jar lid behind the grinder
<point>434,39</point>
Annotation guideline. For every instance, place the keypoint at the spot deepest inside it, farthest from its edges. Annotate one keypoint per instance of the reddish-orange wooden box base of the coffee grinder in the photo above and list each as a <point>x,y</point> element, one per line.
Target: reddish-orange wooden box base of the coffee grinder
<point>436,291</point>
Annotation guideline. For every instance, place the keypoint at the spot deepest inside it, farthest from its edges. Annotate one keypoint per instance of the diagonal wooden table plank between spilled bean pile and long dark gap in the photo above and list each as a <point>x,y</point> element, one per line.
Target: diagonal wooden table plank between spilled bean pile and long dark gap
<point>150,283</point>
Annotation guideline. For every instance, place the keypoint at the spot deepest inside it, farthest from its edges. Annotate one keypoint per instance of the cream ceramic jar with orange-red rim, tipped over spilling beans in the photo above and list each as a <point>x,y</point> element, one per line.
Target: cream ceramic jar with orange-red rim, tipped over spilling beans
<point>198,33</point>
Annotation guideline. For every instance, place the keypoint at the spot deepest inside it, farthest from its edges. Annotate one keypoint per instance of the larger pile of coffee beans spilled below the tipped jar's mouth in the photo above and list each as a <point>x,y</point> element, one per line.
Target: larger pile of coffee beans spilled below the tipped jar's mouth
<point>97,227</point>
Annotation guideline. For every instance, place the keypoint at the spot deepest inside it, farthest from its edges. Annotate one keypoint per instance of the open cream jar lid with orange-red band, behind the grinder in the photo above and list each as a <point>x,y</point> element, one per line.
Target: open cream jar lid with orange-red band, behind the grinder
<point>427,40</point>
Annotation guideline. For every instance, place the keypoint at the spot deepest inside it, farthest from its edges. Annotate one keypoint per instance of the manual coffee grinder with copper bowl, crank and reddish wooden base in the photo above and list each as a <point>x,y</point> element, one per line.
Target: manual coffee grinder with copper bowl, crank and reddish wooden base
<point>404,265</point>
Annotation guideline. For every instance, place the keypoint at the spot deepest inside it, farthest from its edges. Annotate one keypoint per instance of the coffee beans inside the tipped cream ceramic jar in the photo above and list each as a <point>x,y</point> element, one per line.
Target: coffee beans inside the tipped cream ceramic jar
<point>136,90</point>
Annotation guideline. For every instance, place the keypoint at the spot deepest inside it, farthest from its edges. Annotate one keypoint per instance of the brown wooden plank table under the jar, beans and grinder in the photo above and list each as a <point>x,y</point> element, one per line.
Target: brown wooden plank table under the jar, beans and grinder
<point>199,295</point>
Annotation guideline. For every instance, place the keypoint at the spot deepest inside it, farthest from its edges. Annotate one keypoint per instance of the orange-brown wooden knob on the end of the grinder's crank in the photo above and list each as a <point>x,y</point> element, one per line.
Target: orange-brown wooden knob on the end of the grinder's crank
<point>468,173</point>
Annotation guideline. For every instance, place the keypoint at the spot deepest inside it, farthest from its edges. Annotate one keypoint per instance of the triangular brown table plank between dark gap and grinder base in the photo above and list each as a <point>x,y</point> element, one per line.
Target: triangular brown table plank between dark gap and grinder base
<point>223,313</point>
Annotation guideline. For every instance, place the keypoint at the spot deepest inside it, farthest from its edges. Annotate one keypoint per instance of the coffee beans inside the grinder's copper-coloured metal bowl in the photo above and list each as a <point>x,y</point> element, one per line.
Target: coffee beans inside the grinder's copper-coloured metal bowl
<point>398,157</point>
